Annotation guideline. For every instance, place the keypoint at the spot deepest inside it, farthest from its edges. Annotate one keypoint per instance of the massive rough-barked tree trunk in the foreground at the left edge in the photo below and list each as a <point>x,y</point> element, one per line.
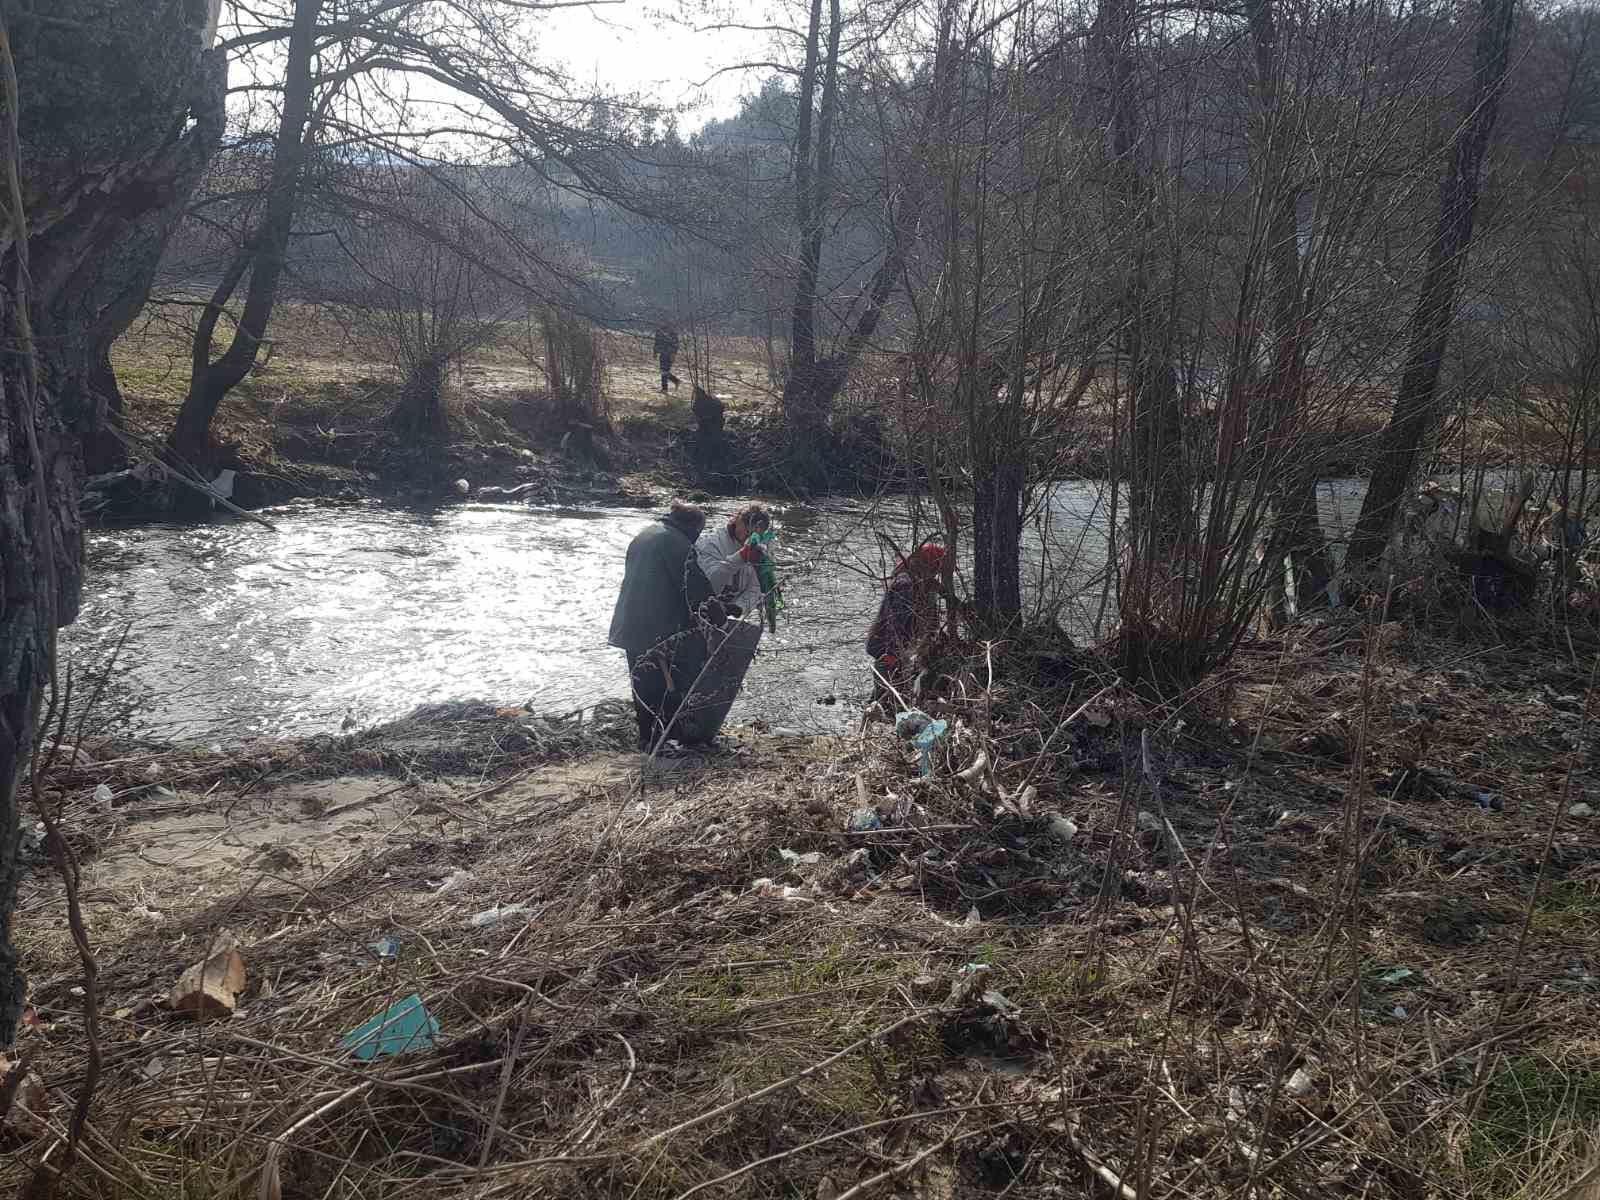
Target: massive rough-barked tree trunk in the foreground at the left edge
<point>121,110</point>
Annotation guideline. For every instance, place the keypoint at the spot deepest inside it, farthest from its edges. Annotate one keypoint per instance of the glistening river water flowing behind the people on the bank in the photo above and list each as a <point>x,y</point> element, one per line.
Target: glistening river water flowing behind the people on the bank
<point>354,615</point>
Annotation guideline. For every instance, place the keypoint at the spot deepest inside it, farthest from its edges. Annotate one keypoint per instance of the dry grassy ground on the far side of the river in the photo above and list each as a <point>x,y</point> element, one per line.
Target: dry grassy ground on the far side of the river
<point>316,412</point>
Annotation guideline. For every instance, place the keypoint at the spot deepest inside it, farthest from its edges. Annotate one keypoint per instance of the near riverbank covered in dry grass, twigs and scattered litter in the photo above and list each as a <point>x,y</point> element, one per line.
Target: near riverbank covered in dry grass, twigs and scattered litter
<point>1340,935</point>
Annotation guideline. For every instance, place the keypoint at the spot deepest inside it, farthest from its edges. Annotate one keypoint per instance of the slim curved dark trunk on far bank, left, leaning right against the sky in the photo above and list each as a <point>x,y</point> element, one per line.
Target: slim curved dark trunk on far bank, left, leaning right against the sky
<point>262,258</point>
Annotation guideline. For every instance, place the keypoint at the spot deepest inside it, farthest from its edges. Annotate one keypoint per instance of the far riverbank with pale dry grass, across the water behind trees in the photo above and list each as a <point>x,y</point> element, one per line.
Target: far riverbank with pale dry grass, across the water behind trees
<point>311,423</point>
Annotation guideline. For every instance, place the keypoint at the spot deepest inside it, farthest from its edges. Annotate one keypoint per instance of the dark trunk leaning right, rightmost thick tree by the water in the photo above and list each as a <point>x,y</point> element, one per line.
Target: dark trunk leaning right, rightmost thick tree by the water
<point>1418,402</point>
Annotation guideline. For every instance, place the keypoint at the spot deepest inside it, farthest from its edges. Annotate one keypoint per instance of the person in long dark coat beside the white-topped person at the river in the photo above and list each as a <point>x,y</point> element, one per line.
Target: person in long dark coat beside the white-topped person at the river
<point>655,618</point>
